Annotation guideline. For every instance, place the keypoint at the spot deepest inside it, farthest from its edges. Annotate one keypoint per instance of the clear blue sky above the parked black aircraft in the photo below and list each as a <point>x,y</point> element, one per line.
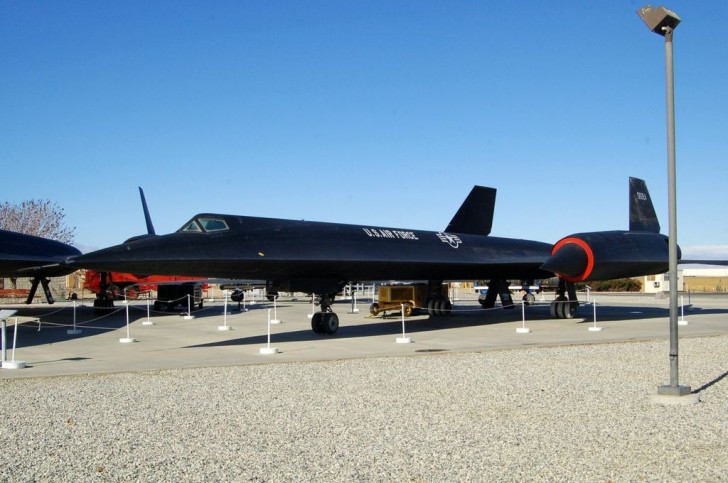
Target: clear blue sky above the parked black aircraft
<point>371,112</point>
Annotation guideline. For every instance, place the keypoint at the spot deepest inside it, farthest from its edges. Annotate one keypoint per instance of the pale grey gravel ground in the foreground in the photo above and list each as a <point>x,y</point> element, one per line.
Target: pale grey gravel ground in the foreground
<point>576,413</point>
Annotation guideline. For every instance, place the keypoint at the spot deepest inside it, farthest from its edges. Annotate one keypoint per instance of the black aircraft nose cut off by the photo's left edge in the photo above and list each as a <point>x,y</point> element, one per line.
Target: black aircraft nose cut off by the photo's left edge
<point>35,257</point>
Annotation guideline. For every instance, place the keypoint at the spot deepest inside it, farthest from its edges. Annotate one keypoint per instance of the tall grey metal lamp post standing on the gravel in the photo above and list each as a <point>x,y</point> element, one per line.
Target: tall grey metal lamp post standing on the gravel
<point>663,22</point>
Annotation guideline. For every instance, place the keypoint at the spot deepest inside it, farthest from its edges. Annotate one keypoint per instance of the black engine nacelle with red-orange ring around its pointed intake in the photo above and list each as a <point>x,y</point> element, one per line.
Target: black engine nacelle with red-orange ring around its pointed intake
<point>606,255</point>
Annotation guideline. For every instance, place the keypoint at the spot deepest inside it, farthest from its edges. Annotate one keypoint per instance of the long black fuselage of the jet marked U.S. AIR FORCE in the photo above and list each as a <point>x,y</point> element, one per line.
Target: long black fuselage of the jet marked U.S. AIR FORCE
<point>303,252</point>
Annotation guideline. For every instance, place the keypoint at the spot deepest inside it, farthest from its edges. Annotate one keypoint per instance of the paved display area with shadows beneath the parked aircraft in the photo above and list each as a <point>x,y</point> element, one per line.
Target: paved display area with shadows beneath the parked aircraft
<point>175,342</point>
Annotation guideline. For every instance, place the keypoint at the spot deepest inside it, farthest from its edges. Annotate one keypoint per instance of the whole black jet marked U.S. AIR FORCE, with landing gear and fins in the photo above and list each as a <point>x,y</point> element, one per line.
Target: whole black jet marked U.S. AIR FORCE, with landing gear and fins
<point>320,258</point>
